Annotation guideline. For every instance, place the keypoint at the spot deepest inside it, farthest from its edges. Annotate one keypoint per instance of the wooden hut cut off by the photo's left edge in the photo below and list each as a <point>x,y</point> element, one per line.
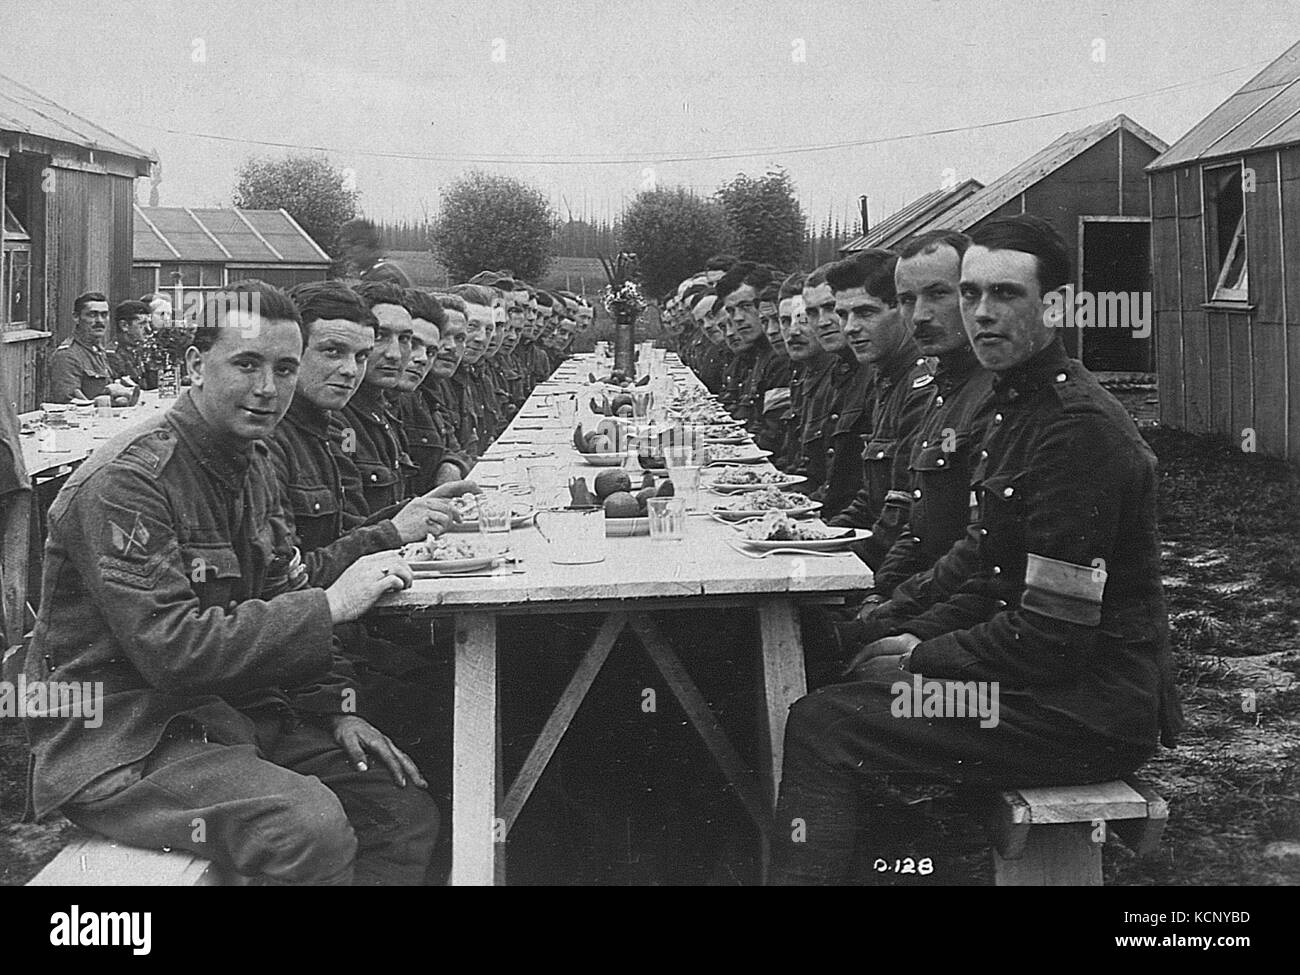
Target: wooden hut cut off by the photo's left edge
<point>68,188</point>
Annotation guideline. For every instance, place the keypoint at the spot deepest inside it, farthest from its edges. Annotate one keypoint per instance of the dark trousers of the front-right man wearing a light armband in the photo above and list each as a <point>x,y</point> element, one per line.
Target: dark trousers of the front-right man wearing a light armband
<point>842,740</point>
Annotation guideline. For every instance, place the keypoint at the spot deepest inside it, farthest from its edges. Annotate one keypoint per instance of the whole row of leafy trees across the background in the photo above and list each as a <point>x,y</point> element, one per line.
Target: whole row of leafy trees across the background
<point>504,223</point>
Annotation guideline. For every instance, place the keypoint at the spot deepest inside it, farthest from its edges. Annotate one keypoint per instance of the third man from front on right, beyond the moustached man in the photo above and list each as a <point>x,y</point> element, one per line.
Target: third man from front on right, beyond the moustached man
<point>879,336</point>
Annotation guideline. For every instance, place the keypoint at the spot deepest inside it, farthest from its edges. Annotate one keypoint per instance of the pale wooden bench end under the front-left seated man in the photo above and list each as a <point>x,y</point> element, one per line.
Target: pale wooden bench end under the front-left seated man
<point>94,861</point>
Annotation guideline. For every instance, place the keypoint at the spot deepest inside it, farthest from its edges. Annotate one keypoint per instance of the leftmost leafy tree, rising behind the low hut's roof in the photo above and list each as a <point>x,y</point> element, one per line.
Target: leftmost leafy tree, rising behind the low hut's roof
<point>310,188</point>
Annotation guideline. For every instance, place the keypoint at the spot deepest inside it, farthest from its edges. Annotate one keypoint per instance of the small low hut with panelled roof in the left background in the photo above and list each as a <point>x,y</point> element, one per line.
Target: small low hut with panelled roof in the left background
<point>188,252</point>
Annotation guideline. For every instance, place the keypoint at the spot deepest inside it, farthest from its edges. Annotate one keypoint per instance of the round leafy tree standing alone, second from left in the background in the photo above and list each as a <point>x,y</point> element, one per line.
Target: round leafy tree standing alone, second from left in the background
<point>495,222</point>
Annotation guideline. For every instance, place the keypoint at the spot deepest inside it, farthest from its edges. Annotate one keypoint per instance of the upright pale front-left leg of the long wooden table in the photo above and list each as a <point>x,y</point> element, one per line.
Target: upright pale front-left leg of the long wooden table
<point>474,742</point>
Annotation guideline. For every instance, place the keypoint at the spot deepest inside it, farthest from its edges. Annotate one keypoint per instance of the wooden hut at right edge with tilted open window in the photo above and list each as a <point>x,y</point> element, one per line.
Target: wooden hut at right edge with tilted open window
<point>1227,242</point>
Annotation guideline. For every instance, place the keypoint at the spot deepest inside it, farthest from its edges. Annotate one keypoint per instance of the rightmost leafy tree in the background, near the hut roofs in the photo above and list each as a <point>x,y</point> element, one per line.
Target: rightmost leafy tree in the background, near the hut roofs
<point>765,218</point>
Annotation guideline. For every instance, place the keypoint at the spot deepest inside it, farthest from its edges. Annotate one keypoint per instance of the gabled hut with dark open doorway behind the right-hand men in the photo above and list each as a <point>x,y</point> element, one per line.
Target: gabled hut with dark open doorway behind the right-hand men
<point>1093,188</point>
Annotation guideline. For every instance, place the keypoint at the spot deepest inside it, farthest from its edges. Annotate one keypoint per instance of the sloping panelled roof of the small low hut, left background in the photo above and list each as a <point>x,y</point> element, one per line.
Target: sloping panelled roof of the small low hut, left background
<point>227,236</point>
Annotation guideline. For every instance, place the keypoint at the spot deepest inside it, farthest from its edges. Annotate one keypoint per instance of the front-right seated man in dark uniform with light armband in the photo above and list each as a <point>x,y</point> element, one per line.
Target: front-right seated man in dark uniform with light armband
<point>1054,597</point>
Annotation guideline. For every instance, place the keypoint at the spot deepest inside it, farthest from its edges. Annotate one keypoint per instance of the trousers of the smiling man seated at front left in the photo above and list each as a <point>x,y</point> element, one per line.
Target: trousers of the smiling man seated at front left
<point>291,809</point>
